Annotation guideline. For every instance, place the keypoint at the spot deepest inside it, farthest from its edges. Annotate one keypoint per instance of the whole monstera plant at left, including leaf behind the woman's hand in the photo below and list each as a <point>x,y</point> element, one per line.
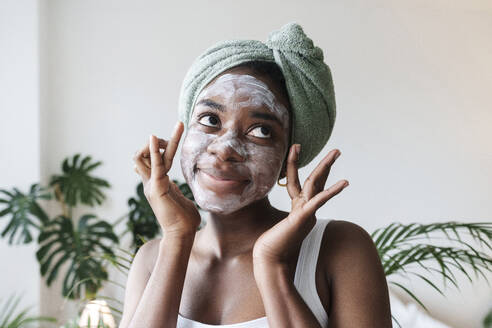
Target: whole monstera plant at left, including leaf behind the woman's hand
<point>63,239</point>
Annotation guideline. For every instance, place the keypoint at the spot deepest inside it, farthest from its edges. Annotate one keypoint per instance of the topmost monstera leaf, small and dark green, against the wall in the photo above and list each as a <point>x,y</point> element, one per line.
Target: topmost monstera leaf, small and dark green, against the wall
<point>76,184</point>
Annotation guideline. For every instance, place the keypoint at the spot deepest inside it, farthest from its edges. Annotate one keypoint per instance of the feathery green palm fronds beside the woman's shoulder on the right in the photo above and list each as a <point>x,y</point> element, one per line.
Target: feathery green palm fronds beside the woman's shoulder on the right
<point>401,247</point>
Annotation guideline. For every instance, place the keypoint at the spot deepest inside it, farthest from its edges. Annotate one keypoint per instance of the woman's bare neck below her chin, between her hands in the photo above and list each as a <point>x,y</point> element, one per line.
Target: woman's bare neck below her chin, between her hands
<point>232,235</point>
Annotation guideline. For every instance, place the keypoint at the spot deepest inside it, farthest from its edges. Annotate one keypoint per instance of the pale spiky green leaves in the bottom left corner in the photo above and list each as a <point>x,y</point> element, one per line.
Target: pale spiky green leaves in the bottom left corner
<point>11,318</point>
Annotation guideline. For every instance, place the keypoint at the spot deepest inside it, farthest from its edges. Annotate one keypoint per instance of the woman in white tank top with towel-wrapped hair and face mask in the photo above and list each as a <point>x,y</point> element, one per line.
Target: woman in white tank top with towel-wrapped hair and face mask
<point>247,108</point>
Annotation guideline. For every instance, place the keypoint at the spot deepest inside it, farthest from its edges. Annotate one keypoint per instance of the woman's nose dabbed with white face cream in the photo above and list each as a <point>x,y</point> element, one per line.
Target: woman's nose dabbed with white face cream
<point>228,147</point>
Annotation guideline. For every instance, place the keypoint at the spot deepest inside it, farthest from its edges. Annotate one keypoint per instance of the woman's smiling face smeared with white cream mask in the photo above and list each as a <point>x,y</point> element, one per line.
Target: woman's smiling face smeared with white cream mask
<point>236,142</point>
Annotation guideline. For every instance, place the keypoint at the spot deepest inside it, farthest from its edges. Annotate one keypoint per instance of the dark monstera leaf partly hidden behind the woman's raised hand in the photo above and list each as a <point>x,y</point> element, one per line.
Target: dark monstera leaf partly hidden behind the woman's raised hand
<point>142,222</point>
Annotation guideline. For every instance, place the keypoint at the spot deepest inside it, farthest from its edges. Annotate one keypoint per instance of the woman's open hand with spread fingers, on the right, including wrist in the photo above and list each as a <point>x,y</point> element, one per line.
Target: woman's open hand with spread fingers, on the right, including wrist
<point>276,245</point>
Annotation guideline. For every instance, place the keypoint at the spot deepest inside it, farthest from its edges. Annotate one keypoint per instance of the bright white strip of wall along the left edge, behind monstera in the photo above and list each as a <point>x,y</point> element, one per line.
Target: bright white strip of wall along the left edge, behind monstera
<point>19,140</point>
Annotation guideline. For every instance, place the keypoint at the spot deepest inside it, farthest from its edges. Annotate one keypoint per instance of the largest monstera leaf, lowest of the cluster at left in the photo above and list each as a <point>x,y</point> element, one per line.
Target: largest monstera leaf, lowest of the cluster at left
<point>79,247</point>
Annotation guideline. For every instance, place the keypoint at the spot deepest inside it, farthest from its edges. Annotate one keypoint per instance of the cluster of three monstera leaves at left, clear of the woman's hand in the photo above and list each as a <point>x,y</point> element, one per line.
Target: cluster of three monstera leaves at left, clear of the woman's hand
<point>58,237</point>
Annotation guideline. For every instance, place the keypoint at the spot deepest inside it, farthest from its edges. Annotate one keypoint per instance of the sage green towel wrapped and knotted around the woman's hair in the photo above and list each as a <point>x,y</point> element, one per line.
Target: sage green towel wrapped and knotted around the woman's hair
<point>308,80</point>
